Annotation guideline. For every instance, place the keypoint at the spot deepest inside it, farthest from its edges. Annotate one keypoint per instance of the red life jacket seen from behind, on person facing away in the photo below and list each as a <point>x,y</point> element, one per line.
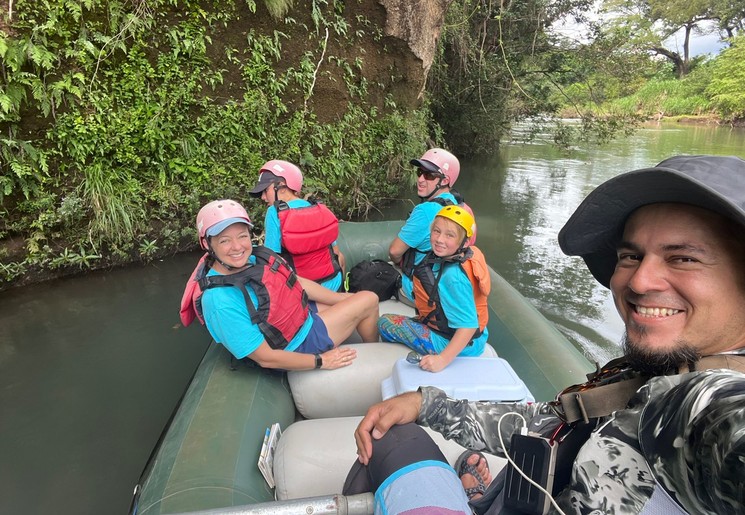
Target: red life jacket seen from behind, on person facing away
<point>308,234</point>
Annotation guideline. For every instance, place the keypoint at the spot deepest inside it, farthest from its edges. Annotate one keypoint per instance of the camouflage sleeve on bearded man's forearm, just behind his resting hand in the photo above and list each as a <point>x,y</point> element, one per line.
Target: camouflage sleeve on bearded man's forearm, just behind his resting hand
<point>474,424</point>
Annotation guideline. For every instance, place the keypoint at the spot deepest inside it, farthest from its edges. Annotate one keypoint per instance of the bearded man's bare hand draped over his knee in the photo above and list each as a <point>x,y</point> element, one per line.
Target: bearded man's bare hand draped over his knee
<point>401,409</point>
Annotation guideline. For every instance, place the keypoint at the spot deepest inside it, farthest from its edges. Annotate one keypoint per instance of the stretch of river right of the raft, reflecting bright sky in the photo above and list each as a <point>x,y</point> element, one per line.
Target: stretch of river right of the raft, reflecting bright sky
<point>524,197</point>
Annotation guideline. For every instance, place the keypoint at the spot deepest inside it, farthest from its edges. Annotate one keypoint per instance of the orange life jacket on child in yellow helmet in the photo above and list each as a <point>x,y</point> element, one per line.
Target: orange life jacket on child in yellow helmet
<point>427,297</point>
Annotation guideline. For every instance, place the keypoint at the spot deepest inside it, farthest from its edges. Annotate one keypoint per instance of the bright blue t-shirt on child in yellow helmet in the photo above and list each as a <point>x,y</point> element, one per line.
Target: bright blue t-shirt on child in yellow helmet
<point>456,299</point>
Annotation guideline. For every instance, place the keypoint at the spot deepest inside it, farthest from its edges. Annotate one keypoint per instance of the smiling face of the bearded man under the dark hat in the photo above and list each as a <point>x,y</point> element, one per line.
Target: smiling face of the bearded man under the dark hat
<point>679,283</point>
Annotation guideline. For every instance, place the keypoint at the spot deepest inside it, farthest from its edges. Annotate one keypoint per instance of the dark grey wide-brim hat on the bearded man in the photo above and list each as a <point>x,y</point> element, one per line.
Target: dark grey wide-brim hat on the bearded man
<point>716,183</point>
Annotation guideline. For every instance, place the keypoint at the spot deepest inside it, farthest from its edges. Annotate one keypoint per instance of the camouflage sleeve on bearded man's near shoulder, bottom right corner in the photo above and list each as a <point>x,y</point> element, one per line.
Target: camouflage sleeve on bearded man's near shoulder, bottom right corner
<point>693,439</point>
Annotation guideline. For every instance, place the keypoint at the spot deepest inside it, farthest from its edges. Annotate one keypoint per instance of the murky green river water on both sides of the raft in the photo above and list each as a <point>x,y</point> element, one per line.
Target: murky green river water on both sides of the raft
<point>91,367</point>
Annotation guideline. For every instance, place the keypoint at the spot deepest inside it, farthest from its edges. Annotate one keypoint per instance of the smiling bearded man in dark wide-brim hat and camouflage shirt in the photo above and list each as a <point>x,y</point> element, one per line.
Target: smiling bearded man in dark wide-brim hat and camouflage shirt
<point>661,429</point>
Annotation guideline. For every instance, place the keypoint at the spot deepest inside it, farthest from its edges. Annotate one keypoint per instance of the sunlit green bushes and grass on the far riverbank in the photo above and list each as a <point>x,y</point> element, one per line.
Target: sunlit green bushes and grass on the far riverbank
<point>650,88</point>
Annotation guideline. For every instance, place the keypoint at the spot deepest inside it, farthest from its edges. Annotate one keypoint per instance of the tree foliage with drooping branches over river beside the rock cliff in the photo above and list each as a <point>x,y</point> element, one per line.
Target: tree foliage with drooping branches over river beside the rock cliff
<point>500,62</point>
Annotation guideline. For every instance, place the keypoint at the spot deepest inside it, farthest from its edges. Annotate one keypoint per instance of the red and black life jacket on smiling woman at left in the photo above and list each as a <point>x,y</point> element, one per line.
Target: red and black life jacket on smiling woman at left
<point>283,303</point>
